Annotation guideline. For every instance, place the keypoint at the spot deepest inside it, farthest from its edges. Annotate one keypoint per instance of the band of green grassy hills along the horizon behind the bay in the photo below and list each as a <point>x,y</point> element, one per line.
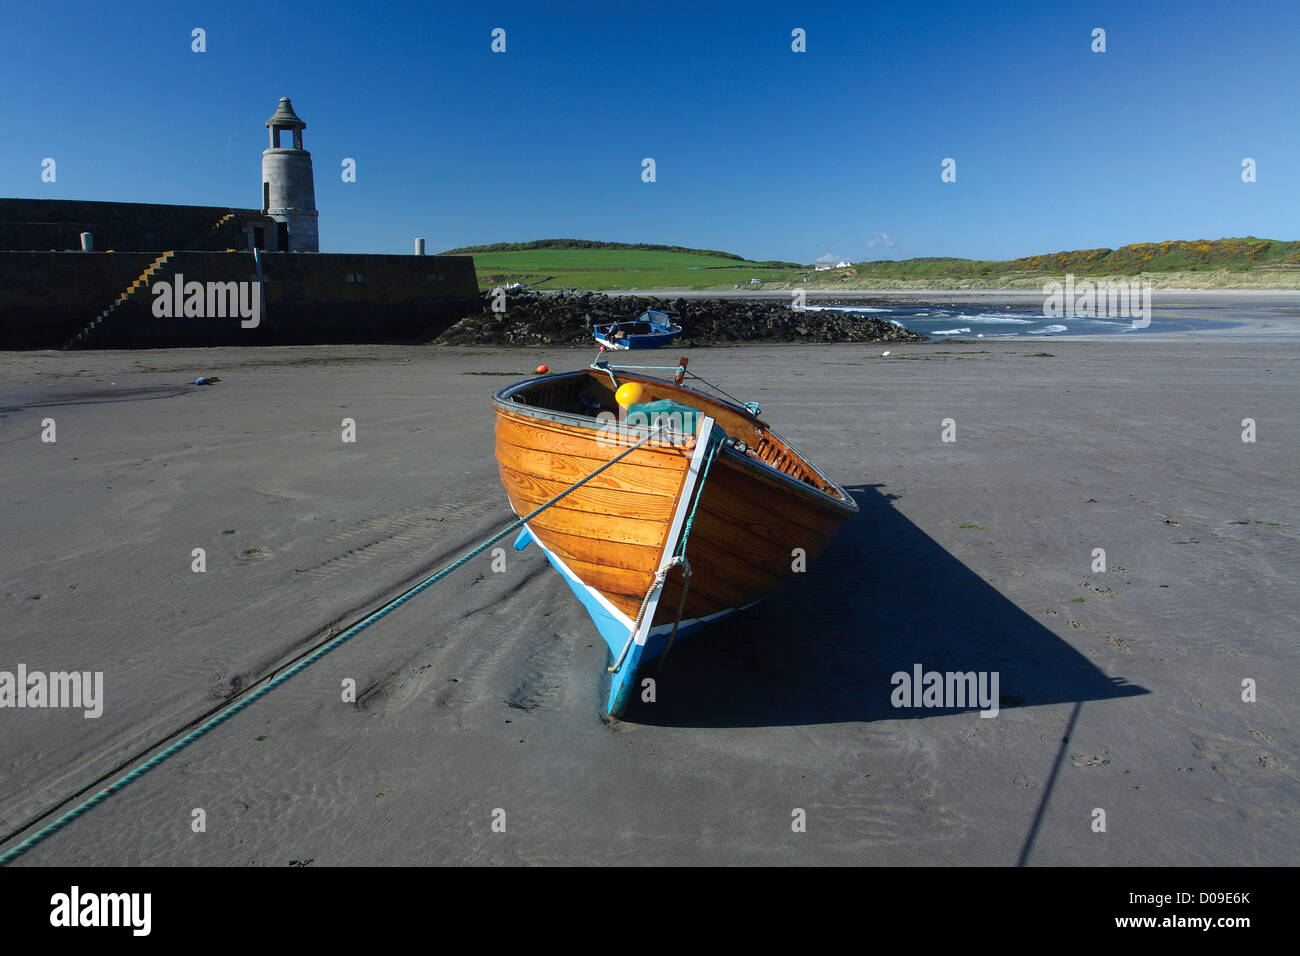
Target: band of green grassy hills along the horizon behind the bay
<point>584,265</point>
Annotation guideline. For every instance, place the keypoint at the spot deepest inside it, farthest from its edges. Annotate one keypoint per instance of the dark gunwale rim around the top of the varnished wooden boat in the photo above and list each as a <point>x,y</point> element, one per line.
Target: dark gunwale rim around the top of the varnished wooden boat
<point>839,500</point>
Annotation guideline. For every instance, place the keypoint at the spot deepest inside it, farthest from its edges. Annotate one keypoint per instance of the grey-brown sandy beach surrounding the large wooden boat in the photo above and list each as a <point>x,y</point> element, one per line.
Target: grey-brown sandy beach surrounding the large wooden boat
<point>1120,691</point>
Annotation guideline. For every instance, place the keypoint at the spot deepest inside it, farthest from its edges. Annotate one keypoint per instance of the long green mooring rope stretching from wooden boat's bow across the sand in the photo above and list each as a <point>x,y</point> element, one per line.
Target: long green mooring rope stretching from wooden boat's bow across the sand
<point>122,784</point>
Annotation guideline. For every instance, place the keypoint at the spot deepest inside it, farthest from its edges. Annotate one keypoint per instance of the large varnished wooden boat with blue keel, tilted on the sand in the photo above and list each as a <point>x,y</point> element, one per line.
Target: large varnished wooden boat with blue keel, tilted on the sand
<point>749,509</point>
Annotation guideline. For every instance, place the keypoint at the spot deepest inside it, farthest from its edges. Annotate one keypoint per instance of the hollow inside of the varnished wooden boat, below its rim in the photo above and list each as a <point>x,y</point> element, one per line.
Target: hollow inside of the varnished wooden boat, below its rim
<point>592,392</point>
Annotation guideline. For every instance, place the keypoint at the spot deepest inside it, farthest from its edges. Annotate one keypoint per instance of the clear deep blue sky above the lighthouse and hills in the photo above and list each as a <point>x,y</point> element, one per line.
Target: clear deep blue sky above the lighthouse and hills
<point>760,150</point>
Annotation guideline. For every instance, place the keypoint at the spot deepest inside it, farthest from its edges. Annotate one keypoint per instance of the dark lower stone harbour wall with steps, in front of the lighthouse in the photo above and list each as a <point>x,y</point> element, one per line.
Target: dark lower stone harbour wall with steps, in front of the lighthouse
<point>47,299</point>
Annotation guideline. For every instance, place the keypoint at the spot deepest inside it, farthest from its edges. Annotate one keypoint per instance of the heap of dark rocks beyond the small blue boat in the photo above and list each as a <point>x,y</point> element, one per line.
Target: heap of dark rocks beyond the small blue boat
<point>567,319</point>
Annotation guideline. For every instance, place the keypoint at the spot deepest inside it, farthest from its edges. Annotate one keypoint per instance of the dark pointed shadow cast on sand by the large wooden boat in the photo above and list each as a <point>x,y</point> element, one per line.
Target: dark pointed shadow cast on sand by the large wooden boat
<point>882,599</point>
